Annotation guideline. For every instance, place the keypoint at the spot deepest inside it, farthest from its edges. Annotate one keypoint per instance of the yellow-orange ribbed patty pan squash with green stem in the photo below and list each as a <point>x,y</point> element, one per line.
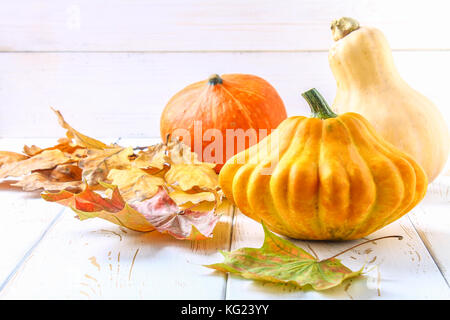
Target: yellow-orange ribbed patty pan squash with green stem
<point>328,177</point>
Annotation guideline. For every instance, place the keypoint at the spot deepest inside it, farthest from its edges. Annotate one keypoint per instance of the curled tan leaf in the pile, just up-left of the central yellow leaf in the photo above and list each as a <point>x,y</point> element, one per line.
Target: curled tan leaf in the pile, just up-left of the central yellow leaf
<point>98,163</point>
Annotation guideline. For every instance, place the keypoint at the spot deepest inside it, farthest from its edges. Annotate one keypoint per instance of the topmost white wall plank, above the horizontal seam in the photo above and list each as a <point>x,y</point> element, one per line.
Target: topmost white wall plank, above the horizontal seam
<point>192,25</point>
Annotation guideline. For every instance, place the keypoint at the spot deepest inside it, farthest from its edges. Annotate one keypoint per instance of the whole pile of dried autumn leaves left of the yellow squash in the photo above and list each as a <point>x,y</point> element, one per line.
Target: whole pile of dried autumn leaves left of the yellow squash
<point>160,187</point>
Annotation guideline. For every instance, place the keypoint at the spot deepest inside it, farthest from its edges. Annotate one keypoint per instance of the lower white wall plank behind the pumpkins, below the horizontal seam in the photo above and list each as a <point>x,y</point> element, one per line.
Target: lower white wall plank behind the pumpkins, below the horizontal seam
<point>123,94</point>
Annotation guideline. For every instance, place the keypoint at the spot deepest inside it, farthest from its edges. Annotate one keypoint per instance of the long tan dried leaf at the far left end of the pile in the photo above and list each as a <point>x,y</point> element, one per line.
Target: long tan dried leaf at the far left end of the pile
<point>45,160</point>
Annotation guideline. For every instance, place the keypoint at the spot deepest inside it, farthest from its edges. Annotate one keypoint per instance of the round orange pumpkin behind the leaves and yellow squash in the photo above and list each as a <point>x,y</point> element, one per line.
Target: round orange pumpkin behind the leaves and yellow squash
<point>208,114</point>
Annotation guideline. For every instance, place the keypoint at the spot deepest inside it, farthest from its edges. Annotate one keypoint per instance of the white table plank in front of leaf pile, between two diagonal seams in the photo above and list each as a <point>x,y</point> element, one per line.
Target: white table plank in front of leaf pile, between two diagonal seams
<point>95,259</point>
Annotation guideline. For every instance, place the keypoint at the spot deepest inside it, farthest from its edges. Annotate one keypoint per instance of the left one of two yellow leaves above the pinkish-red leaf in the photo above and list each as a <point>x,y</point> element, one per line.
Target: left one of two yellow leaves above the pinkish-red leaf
<point>135,184</point>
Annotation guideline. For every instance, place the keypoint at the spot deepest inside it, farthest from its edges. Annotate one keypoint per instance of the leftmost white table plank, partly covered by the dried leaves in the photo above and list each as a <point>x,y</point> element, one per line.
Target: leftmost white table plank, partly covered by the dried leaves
<point>24,216</point>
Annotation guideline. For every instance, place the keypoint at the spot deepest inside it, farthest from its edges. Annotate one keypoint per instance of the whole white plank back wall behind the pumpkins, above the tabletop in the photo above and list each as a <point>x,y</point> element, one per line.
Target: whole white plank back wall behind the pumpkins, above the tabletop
<point>117,63</point>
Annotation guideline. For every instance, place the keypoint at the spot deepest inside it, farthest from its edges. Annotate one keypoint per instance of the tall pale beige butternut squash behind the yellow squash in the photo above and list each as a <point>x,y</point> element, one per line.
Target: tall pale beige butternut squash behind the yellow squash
<point>369,83</point>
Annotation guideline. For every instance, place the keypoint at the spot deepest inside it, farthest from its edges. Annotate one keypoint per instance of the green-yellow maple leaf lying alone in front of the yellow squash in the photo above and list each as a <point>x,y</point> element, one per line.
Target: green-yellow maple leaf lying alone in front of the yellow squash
<point>280,261</point>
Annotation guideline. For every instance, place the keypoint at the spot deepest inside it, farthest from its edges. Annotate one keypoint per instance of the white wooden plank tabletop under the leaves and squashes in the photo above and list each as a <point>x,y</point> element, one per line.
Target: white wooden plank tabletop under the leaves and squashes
<point>47,254</point>
